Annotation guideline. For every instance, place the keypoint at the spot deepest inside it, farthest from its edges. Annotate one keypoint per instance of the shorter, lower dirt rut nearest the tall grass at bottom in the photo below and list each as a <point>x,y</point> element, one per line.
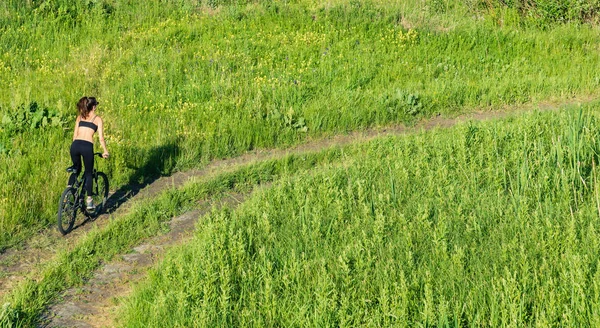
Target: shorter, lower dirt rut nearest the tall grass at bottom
<point>95,304</point>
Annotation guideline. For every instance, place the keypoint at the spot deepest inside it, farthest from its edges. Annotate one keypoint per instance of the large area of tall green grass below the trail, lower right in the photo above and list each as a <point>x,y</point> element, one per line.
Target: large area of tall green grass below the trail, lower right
<point>486,224</point>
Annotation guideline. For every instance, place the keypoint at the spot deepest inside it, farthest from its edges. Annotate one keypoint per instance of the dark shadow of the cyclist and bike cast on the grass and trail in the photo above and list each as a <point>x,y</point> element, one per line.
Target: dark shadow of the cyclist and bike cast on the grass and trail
<point>158,162</point>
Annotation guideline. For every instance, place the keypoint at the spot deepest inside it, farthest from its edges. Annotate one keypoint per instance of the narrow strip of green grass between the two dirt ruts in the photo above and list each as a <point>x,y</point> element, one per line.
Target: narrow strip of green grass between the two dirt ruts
<point>25,304</point>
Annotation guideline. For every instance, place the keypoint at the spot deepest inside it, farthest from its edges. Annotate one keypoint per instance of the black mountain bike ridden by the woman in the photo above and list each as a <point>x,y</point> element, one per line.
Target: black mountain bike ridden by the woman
<point>72,200</point>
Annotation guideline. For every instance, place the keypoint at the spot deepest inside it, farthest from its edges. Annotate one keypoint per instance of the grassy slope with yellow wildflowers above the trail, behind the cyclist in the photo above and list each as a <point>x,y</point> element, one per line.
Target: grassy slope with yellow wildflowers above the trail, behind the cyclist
<point>183,82</point>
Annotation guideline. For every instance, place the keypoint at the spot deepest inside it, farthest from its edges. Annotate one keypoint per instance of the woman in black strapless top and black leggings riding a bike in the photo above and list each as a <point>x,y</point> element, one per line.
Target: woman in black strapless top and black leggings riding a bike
<point>86,125</point>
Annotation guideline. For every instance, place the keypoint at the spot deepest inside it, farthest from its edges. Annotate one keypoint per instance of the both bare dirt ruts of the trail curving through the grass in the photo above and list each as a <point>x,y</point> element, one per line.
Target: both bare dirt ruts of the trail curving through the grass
<point>17,264</point>
